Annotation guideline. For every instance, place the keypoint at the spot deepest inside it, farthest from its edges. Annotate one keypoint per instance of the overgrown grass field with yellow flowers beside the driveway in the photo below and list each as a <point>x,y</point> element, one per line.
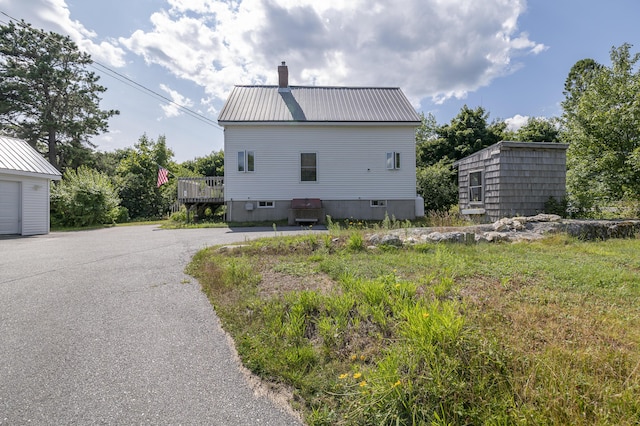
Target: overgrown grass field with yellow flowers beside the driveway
<point>541,332</point>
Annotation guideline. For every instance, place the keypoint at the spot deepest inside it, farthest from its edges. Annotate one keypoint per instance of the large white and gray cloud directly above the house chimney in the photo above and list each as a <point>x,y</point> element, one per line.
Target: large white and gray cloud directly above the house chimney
<point>429,48</point>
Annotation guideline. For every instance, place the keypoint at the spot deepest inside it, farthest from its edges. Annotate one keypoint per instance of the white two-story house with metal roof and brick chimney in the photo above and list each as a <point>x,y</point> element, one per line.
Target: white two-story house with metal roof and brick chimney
<point>351,149</point>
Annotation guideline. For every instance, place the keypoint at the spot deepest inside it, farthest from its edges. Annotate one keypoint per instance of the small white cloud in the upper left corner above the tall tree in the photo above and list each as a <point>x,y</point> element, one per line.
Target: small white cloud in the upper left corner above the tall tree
<point>54,15</point>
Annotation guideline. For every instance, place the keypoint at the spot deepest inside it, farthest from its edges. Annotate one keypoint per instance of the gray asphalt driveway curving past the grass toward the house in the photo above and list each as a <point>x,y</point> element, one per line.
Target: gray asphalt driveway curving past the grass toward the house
<point>103,327</point>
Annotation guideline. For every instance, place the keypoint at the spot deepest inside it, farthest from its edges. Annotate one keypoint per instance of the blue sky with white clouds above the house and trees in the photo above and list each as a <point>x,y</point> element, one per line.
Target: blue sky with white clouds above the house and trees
<point>509,56</point>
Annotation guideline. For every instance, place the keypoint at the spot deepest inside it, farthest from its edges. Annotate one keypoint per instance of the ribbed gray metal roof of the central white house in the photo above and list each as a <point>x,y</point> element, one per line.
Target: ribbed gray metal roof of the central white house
<point>317,104</point>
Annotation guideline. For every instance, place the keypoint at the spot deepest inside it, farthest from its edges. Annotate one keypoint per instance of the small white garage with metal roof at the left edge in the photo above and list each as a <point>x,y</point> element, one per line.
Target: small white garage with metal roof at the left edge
<point>24,188</point>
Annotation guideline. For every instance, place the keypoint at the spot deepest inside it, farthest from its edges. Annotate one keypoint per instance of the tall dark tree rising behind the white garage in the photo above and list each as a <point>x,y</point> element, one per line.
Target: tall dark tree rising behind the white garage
<point>47,95</point>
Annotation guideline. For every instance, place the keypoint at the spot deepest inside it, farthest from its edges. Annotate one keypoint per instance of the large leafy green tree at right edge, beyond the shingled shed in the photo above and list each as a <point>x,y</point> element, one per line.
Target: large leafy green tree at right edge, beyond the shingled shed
<point>602,120</point>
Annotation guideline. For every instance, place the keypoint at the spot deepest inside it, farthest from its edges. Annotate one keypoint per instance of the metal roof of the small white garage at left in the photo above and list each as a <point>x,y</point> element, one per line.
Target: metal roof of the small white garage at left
<point>19,158</point>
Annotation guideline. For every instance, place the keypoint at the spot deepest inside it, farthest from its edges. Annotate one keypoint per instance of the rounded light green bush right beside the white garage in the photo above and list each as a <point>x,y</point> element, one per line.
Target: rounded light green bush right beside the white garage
<point>83,198</point>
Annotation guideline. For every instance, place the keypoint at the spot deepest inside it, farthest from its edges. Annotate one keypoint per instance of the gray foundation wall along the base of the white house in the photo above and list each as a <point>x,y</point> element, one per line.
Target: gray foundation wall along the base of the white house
<point>248,211</point>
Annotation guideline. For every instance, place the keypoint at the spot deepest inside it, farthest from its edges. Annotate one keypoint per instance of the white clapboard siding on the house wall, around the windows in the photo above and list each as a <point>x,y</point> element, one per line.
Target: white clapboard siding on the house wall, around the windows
<point>351,162</point>
